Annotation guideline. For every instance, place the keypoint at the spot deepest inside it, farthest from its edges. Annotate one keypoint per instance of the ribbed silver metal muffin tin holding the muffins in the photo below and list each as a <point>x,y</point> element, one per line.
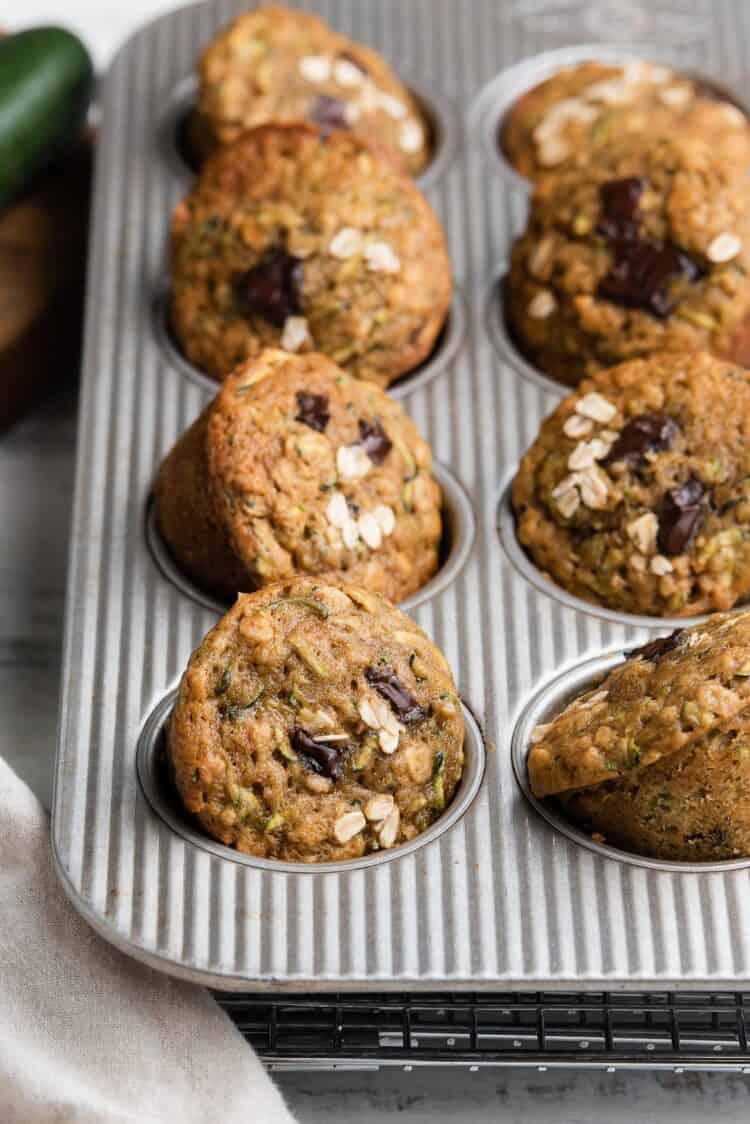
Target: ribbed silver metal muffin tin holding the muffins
<point>499,900</point>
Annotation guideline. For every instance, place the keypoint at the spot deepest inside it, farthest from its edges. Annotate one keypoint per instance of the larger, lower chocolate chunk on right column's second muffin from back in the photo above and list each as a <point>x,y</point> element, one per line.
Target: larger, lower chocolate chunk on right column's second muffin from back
<point>644,276</point>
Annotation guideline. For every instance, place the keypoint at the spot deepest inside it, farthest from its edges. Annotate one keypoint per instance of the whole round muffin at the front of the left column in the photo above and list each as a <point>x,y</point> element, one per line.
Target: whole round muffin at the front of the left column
<point>317,723</point>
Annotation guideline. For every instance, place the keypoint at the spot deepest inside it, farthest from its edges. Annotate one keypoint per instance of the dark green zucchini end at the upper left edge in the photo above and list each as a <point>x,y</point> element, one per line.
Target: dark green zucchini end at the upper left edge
<point>47,79</point>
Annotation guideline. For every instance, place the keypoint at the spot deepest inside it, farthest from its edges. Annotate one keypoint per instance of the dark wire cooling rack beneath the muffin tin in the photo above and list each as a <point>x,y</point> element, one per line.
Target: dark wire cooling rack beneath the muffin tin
<point>667,1030</point>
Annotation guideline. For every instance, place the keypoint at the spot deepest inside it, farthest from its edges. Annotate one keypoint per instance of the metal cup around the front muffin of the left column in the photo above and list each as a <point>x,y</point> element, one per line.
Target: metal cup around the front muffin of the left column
<point>157,787</point>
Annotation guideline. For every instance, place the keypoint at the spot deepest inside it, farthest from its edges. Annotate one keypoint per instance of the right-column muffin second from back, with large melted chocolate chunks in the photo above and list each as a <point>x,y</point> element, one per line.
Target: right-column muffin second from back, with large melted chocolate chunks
<point>648,250</point>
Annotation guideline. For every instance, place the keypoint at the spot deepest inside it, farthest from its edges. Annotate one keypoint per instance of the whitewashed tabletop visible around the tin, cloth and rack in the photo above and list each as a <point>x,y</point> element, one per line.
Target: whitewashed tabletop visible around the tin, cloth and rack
<point>37,473</point>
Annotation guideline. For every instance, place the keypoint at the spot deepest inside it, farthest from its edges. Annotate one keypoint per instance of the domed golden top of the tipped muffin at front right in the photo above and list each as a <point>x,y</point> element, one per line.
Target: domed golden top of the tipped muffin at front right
<point>670,695</point>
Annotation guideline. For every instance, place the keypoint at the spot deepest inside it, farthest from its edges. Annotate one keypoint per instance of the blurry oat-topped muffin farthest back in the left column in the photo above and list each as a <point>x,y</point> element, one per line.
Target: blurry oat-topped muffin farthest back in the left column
<point>283,66</point>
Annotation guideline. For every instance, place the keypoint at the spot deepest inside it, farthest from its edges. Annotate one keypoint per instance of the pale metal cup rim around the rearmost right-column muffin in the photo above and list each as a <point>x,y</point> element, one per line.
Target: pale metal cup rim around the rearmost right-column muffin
<point>498,98</point>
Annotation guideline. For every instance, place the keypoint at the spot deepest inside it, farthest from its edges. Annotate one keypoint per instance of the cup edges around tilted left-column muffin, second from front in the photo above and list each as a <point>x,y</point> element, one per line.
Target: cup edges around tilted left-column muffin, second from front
<point>455,548</point>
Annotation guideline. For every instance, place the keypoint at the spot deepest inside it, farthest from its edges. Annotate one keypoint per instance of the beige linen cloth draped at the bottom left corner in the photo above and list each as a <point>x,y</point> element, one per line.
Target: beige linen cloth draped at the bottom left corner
<point>88,1035</point>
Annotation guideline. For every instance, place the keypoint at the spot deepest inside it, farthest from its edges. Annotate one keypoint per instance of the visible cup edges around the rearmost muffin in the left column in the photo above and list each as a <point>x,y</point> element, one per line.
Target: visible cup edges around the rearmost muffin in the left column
<point>178,120</point>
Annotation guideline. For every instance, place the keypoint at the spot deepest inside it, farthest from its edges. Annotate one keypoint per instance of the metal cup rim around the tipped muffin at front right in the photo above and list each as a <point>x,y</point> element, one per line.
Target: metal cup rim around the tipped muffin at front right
<point>546,705</point>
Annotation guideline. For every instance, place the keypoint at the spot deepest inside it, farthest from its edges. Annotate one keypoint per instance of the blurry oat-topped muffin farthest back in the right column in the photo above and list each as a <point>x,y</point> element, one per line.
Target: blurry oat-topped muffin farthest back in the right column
<point>566,121</point>
